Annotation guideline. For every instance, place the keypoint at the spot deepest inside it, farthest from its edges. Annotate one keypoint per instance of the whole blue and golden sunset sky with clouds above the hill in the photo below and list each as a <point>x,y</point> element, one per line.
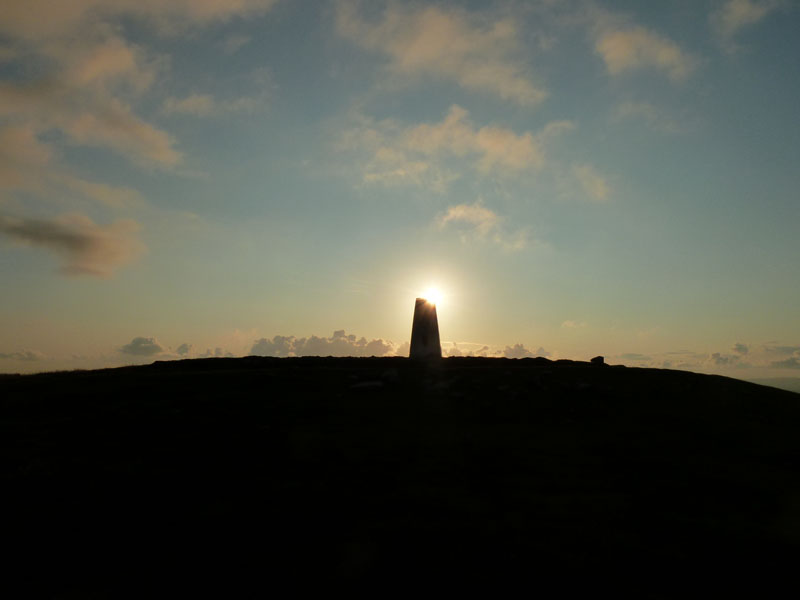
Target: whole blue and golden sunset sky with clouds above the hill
<point>193,177</point>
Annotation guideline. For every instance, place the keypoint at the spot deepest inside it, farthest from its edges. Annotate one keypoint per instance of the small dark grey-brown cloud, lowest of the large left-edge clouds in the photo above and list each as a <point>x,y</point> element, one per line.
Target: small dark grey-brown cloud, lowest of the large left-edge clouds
<point>84,247</point>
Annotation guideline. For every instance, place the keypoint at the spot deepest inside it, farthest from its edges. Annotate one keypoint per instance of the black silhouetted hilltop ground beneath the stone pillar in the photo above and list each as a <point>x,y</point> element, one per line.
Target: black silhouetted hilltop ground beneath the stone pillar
<point>242,476</point>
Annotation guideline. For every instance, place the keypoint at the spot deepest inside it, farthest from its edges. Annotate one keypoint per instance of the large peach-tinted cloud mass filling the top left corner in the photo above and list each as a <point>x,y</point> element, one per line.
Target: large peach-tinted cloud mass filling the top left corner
<point>91,76</point>
